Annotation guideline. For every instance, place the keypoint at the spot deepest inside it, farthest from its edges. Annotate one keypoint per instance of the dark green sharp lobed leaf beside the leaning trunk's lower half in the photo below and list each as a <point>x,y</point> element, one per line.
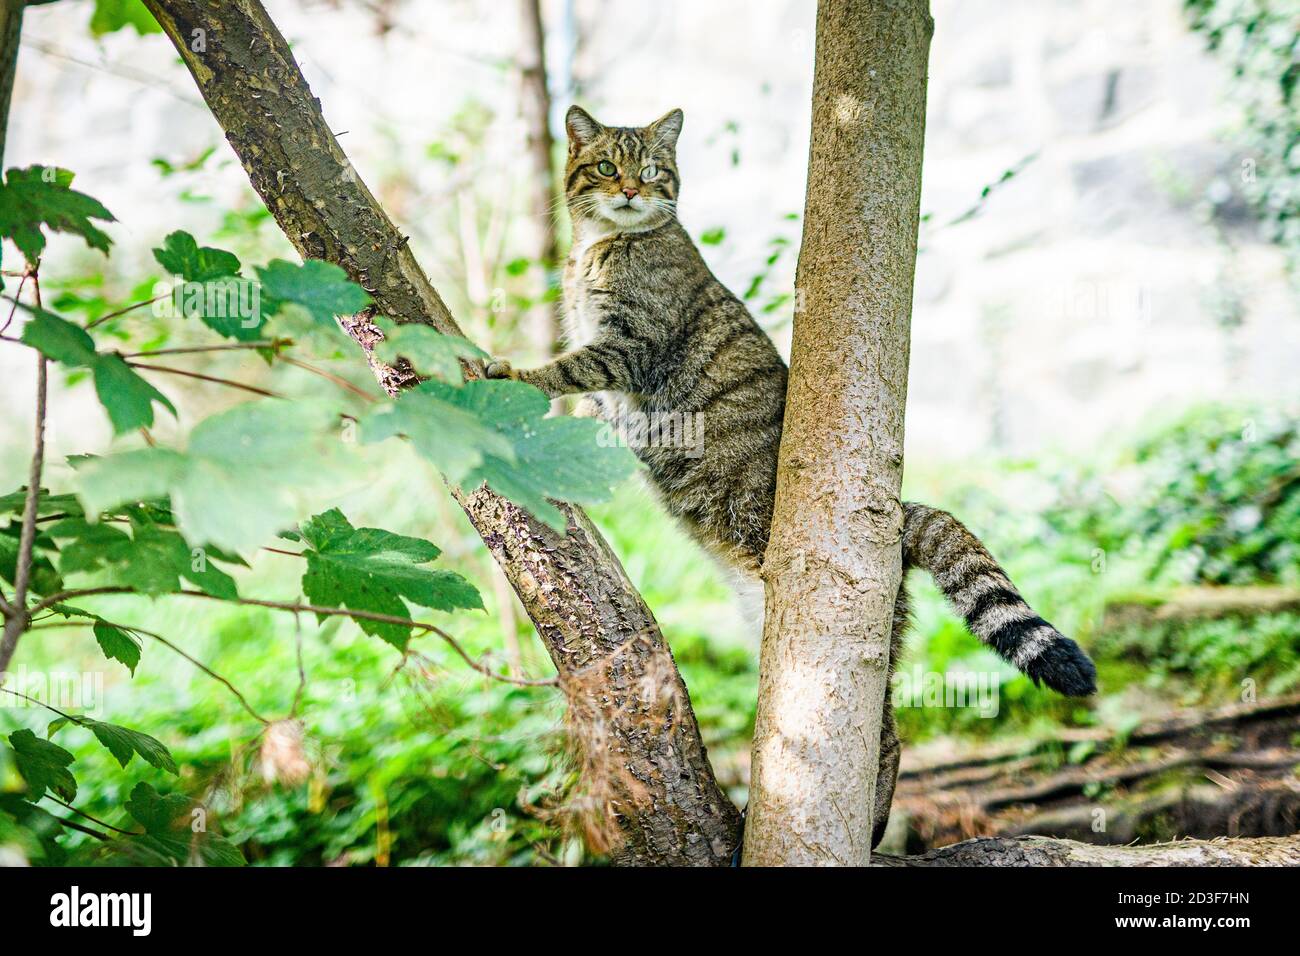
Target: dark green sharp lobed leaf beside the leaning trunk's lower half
<point>372,570</point>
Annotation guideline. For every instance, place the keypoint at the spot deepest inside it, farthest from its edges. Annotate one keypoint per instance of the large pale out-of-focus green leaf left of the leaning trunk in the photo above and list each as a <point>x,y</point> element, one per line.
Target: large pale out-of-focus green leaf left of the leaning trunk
<point>237,485</point>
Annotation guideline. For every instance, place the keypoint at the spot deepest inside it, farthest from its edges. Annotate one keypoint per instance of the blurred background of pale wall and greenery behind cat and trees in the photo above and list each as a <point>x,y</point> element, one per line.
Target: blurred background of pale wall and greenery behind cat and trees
<point>1106,353</point>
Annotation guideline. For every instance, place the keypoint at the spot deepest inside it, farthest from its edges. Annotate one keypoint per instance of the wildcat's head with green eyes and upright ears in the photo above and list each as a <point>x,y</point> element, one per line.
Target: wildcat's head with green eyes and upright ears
<point>622,176</point>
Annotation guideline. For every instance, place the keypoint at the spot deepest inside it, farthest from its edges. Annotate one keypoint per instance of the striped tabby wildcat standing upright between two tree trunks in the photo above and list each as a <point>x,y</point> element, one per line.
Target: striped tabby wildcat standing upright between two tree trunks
<point>655,334</point>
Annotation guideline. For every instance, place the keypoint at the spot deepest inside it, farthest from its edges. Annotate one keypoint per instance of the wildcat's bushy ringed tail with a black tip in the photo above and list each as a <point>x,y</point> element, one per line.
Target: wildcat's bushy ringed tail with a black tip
<point>982,592</point>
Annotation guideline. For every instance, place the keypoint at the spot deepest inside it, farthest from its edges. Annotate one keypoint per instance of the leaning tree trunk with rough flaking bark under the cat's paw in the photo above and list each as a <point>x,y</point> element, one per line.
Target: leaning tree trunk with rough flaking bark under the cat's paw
<point>660,788</point>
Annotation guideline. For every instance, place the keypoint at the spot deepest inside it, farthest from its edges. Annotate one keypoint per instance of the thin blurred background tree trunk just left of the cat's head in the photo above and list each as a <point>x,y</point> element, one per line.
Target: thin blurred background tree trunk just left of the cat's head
<point>543,319</point>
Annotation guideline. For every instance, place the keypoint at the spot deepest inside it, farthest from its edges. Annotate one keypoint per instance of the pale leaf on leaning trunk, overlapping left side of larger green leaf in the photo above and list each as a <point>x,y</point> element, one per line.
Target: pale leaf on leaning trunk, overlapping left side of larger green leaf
<point>434,418</point>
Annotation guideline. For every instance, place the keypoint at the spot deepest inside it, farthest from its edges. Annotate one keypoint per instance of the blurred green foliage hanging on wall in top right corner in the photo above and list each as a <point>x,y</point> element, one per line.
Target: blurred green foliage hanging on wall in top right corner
<point>1260,42</point>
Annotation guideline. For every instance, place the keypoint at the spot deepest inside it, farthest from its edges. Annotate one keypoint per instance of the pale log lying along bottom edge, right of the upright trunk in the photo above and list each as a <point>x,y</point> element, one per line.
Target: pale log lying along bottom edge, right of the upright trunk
<point>1041,851</point>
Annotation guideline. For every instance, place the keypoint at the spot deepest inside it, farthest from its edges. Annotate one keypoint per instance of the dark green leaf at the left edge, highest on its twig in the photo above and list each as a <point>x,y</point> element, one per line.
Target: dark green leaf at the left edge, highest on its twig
<point>41,198</point>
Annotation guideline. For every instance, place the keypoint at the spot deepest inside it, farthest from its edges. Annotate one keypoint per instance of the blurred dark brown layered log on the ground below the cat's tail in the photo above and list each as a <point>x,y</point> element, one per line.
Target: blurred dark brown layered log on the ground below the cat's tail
<point>1227,772</point>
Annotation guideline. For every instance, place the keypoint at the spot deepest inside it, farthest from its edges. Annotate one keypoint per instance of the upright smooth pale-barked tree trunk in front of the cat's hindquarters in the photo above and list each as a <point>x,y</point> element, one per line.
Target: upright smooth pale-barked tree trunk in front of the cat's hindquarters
<point>834,563</point>
